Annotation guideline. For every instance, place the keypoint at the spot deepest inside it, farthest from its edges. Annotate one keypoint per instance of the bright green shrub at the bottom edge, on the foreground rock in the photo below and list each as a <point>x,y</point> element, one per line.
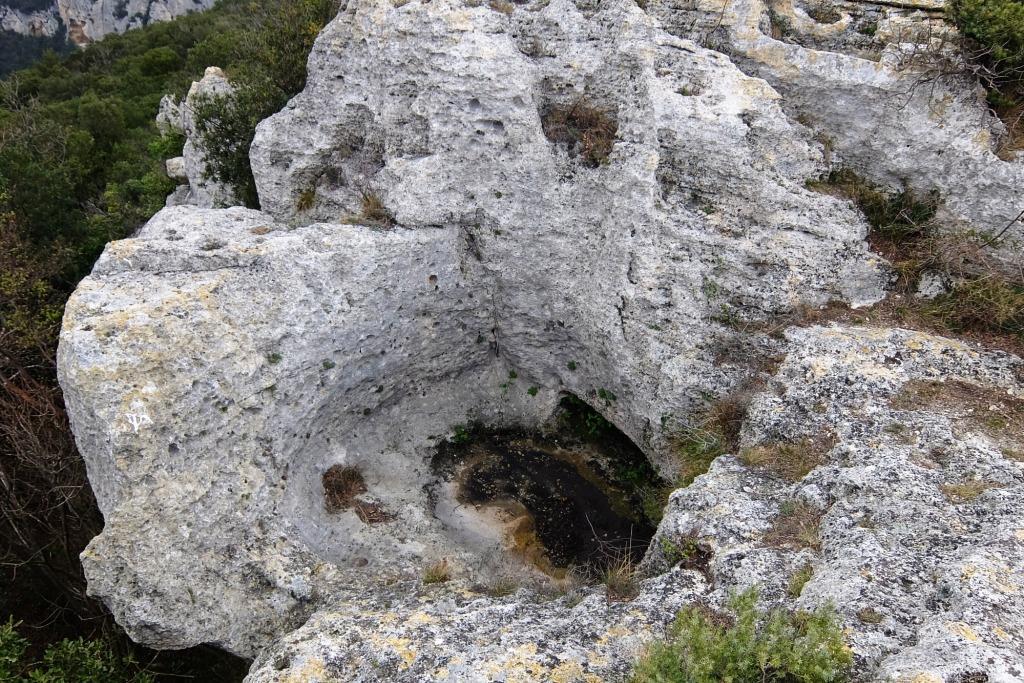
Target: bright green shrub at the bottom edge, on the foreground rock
<point>749,646</point>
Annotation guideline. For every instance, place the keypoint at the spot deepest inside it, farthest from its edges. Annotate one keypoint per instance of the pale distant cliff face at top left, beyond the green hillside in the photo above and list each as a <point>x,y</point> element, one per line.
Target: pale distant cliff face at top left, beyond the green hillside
<point>87,21</point>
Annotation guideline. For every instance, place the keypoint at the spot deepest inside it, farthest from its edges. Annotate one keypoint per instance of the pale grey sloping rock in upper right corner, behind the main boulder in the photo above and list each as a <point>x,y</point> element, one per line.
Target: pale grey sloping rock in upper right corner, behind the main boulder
<point>875,103</point>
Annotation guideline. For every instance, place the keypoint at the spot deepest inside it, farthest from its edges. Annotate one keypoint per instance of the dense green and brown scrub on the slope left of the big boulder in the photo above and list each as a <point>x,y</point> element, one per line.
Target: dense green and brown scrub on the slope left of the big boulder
<point>81,164</point>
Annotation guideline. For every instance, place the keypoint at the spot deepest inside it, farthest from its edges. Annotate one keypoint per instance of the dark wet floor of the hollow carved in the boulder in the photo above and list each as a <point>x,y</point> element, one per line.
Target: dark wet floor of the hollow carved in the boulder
<point>572,498</point>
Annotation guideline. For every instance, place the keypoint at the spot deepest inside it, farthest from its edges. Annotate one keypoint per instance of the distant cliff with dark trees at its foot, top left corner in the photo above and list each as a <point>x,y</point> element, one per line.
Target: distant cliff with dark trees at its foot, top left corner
<point>30,27</point>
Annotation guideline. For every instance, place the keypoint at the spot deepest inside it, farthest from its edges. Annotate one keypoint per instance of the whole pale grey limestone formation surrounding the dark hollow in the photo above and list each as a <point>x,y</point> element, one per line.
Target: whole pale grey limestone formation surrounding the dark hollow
<point>471,212</point>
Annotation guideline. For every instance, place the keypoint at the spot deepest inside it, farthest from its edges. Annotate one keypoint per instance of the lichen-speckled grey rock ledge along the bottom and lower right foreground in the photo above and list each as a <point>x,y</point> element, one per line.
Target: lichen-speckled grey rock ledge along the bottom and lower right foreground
<point>925,578</point>
